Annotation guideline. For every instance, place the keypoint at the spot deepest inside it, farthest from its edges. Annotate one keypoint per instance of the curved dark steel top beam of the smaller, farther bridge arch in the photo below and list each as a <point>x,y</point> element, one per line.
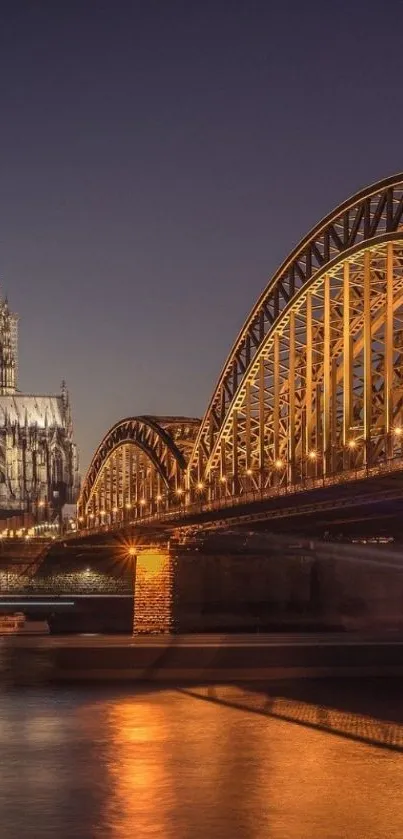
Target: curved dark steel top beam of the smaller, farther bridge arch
<point>143,432</point>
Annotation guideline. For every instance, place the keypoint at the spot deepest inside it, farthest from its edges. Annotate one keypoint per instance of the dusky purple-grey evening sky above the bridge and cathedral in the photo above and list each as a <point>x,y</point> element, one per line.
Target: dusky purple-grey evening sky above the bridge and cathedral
<point>158,161</point>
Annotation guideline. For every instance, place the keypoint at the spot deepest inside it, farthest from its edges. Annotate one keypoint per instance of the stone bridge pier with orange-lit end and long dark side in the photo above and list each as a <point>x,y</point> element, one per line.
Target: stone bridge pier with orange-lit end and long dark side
<point>214,588</point>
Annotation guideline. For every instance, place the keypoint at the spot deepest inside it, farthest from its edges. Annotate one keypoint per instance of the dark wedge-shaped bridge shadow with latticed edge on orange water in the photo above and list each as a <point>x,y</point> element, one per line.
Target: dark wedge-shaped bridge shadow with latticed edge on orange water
<point>369,711</point>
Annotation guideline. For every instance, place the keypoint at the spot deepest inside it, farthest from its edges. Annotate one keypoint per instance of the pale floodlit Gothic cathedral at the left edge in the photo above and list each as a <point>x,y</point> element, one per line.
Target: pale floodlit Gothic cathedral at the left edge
<point>38,458</point>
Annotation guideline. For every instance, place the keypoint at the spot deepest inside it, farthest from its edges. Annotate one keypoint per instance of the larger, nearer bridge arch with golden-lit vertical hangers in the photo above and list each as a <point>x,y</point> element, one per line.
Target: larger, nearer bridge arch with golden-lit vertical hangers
<point>313,385</point>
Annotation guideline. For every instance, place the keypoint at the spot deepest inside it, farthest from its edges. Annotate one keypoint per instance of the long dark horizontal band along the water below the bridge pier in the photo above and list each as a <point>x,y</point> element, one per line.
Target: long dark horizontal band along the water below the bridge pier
<point>212,659</point>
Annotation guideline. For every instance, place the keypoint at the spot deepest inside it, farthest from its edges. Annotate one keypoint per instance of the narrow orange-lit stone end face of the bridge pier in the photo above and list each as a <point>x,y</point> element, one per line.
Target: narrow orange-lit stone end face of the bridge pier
<point>153,592</point>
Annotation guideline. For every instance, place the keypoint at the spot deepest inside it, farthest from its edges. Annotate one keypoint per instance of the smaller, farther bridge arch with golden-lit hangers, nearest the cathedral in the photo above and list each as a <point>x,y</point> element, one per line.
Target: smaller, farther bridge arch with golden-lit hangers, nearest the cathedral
<point>137,469</point>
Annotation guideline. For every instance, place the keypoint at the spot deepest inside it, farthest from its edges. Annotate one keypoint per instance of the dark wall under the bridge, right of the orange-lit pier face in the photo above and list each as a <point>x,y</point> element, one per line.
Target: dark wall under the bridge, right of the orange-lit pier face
<point>265,592</point>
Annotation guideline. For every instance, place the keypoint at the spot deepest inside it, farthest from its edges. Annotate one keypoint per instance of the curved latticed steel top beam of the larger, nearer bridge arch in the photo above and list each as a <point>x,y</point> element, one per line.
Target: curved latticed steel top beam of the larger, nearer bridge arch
<point>367,217</point>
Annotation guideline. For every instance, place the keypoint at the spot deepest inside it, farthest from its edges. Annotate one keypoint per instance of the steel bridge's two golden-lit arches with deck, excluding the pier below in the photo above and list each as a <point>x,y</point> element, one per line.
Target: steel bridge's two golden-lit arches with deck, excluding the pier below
<point>305,422</point>
